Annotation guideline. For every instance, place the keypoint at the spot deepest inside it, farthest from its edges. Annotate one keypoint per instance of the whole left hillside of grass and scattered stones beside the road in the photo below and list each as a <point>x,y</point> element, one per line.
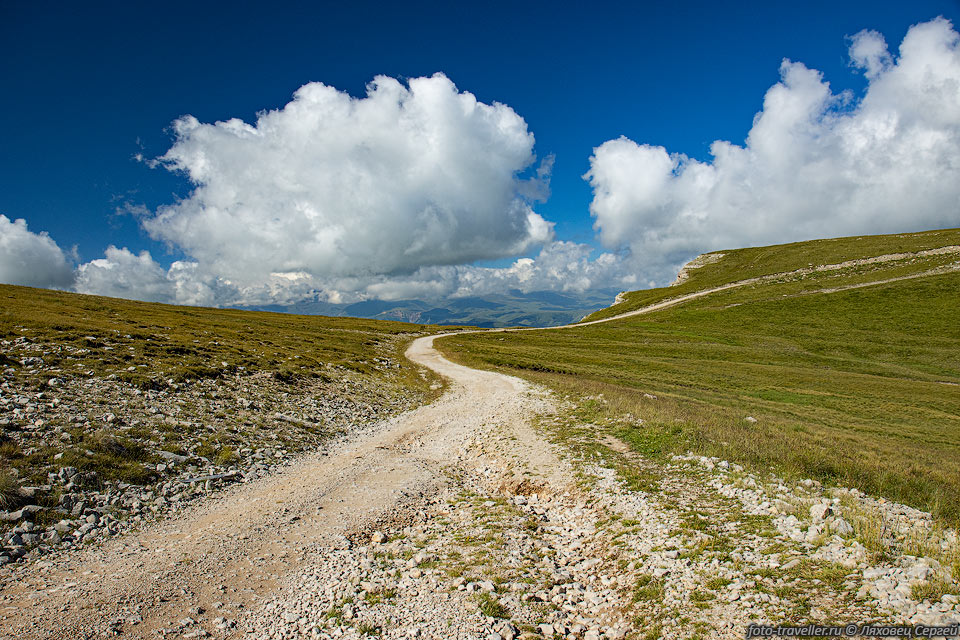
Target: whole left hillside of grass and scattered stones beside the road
<point>106,385</point>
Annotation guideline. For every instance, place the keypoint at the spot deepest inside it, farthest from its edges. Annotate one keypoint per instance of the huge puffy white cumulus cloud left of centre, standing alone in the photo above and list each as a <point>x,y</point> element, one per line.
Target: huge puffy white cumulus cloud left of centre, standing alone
<point>335,186</point>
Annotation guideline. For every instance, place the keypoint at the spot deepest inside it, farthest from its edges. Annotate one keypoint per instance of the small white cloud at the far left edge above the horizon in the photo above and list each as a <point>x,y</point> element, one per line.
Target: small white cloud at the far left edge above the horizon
<point>31,259</point>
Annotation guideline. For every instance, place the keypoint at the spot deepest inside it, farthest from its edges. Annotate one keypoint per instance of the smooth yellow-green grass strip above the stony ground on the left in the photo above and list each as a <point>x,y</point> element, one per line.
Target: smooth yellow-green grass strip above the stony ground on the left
<point>147,343</point>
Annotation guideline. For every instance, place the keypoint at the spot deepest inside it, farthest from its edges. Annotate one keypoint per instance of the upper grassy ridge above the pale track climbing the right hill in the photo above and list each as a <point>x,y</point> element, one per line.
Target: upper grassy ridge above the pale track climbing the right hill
<point>753,262</point>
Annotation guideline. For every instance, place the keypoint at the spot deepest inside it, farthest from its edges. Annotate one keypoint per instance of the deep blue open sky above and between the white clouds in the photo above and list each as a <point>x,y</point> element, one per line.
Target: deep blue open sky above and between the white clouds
<point>89,87</point>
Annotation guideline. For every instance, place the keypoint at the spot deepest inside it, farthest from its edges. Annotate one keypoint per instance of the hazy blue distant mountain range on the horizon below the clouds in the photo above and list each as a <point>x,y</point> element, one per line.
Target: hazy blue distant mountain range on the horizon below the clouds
<point>511,309</point>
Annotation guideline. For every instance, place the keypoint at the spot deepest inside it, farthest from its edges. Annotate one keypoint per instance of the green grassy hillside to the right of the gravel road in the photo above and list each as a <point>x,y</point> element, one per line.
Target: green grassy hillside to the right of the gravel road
<point>854,386</point>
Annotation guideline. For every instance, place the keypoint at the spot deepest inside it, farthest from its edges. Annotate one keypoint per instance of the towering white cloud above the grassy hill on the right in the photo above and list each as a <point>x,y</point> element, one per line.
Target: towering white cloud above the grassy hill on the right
<point>815,163</point>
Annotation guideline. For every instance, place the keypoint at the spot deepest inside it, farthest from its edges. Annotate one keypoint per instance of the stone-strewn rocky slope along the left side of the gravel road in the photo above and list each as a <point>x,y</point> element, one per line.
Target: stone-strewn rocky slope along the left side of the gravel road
<point>95,455</point>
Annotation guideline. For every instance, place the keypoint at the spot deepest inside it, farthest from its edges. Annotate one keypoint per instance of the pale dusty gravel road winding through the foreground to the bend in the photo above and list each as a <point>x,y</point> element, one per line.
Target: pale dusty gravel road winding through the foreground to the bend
<point>239,546</point>
